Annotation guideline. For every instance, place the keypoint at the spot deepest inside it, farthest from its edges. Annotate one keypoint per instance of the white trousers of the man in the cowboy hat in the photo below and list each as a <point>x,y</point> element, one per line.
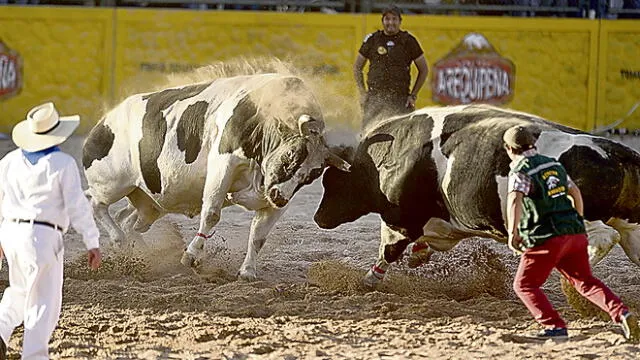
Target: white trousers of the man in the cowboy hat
<point>35,255</point>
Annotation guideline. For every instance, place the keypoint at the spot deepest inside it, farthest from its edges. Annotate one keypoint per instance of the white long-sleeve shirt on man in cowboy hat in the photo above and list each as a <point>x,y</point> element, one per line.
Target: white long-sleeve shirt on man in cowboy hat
<point>49,190</point>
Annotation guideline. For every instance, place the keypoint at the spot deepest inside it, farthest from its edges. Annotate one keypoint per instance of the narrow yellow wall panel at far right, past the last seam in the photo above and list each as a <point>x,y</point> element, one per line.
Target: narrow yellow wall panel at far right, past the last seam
<point>619,73</point>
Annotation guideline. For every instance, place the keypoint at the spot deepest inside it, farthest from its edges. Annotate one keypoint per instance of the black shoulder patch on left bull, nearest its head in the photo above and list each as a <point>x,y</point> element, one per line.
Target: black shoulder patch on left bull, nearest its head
<point>242,131</point>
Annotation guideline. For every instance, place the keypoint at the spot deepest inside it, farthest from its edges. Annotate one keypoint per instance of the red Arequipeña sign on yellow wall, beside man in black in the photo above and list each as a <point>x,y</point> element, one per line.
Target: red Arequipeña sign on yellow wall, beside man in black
<point>473,73</point>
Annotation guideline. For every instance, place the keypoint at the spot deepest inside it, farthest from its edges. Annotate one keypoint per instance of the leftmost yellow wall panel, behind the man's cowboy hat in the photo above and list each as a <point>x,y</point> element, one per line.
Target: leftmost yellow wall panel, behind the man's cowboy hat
<point>66,59</point>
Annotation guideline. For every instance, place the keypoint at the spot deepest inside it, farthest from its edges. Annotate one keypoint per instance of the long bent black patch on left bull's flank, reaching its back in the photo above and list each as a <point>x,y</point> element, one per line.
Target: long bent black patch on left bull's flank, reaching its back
<point>154,130</point>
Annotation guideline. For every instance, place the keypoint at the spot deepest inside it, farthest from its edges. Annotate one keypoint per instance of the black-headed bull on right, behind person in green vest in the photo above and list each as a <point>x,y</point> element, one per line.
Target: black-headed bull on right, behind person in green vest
<point>439,175</point>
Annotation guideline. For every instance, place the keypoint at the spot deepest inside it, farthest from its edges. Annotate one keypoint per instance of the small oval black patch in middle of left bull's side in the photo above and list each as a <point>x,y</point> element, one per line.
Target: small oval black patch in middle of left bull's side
<point>190,129</point>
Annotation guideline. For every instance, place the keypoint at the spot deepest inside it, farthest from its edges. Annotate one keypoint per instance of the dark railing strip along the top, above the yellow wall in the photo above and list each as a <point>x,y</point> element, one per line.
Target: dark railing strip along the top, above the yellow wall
<point>577,8</point>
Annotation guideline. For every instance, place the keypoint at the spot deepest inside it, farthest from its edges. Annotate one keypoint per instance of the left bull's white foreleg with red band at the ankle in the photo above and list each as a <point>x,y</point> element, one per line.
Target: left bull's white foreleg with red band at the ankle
<point>220,174</point>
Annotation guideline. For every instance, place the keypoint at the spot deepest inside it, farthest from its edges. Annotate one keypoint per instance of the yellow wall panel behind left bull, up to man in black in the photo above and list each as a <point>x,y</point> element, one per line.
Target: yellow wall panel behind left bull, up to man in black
<point>153,43</point>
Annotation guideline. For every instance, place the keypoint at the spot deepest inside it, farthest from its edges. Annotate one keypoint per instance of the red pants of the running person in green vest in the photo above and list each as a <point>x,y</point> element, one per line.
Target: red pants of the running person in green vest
<point>568,254</point>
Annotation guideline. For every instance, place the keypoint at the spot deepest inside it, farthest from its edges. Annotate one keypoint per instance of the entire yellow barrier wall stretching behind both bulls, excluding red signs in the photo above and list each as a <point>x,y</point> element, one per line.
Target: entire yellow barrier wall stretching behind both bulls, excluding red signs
<point>83,59</point>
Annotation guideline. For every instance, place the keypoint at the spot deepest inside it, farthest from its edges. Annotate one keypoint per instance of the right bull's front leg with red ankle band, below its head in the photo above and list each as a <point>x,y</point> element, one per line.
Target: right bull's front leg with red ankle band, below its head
<point>392,245</point>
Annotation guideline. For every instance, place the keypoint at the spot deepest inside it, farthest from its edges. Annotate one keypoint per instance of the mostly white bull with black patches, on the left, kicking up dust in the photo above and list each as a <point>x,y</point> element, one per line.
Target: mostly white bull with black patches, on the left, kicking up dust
<point>251,141</point>
